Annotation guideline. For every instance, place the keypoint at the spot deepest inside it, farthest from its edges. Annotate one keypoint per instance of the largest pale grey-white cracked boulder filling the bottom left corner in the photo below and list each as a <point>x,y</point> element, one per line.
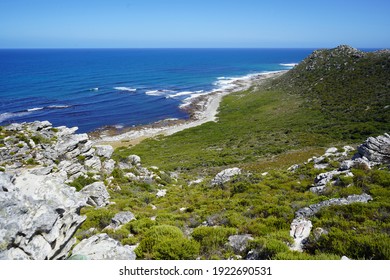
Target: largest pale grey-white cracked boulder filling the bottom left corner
<point>38,217</point>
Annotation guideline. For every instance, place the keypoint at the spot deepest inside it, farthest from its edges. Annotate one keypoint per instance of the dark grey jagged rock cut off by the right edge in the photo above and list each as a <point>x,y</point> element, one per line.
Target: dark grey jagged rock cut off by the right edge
<point>376,149</point>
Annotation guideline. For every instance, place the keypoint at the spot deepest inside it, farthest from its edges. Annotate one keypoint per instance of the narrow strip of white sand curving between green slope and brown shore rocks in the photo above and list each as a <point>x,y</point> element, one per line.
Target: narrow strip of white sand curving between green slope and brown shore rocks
<point>209,112</point>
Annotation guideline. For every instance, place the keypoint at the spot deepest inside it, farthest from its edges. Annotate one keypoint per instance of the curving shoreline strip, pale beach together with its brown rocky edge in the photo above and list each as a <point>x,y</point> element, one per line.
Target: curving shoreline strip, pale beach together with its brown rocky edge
<point>201,109</point>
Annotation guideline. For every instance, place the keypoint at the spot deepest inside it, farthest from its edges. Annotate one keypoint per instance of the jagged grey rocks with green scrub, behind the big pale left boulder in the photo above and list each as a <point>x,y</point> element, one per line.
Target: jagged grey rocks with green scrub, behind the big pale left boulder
<point>57,148</point>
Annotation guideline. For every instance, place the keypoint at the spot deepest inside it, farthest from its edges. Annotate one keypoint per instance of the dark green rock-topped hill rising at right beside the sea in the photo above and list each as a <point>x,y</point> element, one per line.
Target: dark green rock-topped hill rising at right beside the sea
<point>345,84</point>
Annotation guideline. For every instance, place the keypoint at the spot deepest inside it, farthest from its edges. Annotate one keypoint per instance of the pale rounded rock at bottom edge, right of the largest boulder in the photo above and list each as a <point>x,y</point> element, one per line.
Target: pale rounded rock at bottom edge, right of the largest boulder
<point>102,247</point>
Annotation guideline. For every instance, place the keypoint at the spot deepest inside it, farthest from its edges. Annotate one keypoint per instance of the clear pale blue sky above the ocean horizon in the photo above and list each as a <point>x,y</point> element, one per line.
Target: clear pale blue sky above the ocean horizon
<point>193,23</point>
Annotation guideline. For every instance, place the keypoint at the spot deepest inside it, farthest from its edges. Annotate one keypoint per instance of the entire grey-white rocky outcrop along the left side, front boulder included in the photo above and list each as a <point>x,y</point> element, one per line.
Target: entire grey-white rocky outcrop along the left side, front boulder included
<point>39,212</point>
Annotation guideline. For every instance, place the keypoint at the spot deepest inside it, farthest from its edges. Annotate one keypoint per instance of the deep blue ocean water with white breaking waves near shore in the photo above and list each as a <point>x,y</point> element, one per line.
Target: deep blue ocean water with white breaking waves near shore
<point>93,88</point>
